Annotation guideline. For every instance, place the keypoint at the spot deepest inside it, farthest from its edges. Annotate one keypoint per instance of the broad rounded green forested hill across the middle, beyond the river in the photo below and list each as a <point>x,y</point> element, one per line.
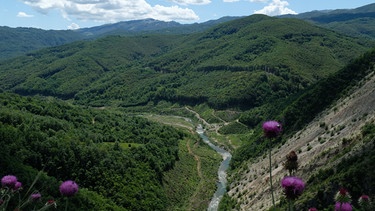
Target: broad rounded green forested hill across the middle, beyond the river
<point>242,63</point>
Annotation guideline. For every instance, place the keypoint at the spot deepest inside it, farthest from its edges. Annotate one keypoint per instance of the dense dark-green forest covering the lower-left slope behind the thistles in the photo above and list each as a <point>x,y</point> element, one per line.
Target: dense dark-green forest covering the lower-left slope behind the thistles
<point>69,142</point>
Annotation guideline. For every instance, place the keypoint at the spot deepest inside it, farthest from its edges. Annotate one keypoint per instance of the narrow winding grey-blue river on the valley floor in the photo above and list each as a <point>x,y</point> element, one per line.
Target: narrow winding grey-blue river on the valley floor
<point>222,172</point>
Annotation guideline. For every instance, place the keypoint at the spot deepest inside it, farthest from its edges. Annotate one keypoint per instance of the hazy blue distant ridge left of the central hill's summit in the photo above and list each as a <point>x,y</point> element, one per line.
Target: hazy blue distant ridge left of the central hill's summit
<point>21,40</point>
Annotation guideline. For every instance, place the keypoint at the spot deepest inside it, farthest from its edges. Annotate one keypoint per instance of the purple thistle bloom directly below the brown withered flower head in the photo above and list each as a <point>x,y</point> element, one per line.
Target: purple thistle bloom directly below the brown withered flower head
<point>293,187</point>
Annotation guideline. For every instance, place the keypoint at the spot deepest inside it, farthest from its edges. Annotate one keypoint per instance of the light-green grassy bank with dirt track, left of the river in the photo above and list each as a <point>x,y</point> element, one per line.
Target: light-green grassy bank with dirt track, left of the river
<point>192,182</point>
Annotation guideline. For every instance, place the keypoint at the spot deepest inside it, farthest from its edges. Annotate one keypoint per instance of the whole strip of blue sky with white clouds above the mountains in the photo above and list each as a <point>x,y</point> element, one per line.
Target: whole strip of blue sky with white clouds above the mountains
<point>73,14</point>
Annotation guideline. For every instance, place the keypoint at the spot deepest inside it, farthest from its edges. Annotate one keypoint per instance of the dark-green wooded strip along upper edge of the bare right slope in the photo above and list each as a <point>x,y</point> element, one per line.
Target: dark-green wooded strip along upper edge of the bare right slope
<point>299,110</point>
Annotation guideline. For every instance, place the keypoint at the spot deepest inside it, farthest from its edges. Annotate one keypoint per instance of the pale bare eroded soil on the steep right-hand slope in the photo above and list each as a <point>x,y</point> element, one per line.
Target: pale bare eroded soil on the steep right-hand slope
<point>315,145</point>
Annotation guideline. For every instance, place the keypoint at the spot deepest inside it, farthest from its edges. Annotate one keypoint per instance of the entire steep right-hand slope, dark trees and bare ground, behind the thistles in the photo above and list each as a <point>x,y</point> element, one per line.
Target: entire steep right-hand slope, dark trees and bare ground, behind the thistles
<point>335,115</point>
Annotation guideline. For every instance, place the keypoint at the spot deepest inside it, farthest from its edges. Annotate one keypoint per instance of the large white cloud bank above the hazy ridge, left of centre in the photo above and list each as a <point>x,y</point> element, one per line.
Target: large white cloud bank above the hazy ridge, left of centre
<point>108,11</point>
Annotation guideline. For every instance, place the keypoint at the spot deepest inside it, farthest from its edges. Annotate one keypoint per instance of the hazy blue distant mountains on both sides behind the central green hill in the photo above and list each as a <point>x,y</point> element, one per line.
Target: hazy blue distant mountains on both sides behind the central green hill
<point>359,22</point>
